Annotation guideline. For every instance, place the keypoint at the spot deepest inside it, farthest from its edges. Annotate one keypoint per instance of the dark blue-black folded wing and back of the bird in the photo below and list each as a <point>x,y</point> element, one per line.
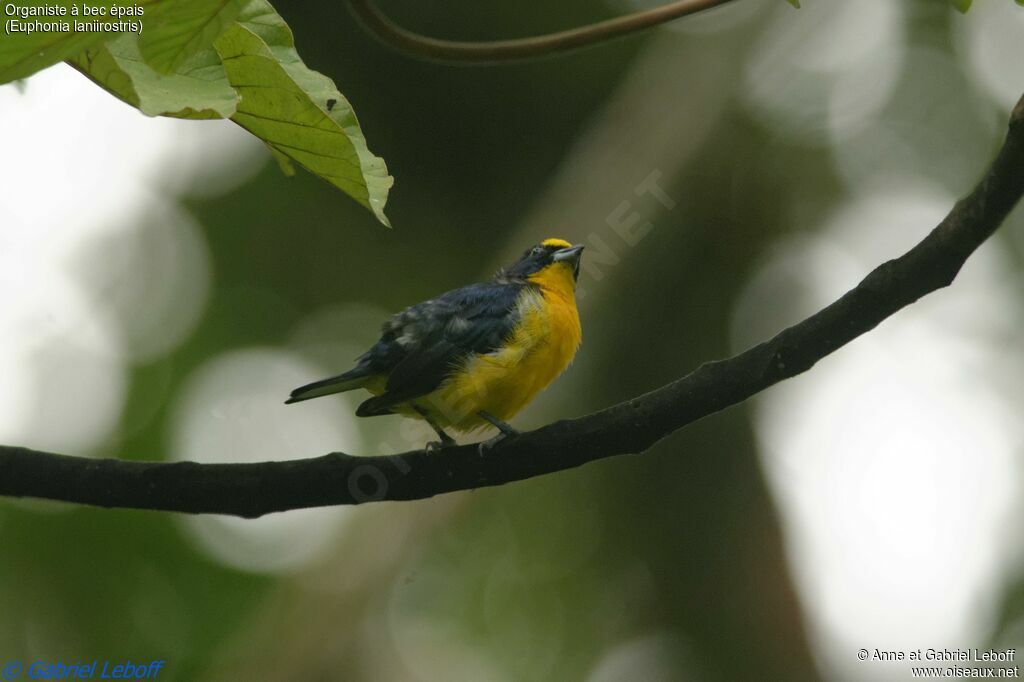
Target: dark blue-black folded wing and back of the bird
<point>420,346</point>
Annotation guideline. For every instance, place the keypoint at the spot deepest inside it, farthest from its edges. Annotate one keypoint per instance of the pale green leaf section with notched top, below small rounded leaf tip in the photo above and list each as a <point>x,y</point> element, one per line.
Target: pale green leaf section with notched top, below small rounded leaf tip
<point>198,91</point>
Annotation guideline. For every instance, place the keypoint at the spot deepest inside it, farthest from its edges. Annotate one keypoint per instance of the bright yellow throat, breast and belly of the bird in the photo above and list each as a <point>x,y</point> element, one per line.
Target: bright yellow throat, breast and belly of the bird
<point>502,383</point>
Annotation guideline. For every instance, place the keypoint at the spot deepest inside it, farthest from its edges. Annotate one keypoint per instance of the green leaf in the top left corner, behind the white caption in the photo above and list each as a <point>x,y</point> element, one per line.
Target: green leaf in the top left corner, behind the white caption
<point>24,54</point>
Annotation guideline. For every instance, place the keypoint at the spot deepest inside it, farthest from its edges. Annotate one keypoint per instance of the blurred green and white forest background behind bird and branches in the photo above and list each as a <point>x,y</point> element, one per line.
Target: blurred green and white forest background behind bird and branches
<point>163,287</point>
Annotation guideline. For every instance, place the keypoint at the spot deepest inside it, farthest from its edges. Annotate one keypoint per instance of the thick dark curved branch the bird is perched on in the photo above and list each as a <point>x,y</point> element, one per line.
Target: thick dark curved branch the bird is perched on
<point>254,490</point>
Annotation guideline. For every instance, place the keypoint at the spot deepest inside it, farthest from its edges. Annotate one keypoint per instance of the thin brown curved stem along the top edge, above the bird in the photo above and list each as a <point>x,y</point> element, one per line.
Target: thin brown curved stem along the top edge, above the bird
<point>522,49</point>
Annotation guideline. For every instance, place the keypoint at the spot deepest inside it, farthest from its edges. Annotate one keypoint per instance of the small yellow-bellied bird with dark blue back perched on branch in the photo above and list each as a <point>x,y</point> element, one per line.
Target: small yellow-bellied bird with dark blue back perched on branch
<point>475,357</point>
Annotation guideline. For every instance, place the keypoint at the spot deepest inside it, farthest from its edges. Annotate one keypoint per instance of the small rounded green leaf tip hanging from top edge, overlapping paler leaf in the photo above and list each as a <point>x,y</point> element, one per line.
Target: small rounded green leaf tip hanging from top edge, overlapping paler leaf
<point>183,28</point>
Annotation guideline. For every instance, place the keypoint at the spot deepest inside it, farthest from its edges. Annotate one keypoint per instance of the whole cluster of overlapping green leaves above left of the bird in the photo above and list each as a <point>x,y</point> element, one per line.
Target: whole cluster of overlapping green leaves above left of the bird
<point>251,73</point>
